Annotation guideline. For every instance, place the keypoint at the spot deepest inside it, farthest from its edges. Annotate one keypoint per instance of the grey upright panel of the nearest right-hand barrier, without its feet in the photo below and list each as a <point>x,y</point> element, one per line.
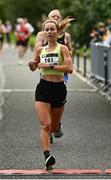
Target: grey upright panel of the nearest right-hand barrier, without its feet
<point>101,62</point>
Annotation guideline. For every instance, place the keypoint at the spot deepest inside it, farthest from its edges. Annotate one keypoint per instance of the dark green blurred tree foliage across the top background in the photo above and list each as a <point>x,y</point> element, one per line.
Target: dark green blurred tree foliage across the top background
<point>87,13</point>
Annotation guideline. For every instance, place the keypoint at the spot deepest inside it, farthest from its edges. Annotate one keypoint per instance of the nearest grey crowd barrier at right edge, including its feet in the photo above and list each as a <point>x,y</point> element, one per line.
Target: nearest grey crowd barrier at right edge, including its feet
<point>101,68</point>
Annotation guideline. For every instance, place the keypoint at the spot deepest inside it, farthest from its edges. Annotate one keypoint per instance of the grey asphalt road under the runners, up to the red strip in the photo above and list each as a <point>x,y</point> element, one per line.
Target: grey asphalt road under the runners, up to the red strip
<point>86,143</point>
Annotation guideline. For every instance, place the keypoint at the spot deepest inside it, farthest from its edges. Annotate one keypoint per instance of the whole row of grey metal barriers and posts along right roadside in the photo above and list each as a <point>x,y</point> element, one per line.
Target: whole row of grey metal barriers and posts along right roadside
<point>96,67</point>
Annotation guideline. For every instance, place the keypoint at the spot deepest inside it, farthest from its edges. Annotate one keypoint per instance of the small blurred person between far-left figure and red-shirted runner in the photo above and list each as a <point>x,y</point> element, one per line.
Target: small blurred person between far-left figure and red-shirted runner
<point>8,27</point>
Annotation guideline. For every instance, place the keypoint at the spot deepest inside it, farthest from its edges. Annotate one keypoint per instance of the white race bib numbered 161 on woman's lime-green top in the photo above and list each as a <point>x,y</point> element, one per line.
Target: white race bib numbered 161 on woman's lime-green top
<point>51,58</point>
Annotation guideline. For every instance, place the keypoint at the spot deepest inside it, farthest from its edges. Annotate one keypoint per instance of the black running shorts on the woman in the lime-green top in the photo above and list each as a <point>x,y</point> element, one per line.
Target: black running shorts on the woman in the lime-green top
<point>51,92</point>
